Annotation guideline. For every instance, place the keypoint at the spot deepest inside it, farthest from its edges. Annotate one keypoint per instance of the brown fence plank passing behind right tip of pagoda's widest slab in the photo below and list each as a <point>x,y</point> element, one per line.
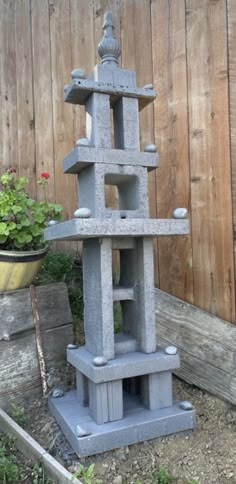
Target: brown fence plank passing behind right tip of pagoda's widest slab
<point>171,134</point>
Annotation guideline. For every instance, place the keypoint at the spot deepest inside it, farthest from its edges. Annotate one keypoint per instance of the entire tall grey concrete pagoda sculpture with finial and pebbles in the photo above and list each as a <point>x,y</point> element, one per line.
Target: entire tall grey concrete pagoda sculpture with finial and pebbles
<point>124,381</point>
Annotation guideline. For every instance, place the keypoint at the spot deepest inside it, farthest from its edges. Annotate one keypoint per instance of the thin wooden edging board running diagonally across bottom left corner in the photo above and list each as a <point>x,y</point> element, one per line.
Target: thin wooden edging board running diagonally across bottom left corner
<point>31,449</point>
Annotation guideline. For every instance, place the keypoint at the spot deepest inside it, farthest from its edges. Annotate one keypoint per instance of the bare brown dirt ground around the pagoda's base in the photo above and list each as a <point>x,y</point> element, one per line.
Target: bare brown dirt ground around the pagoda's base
<point>206,455</point>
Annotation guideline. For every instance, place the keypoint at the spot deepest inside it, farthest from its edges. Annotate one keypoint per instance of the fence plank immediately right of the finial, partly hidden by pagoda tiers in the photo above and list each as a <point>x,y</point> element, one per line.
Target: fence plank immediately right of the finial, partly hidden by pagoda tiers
<point>136,45</point>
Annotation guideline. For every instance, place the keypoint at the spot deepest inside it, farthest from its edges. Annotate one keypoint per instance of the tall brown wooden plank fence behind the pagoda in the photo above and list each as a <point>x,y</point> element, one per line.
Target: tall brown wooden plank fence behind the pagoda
<point>187,49</point>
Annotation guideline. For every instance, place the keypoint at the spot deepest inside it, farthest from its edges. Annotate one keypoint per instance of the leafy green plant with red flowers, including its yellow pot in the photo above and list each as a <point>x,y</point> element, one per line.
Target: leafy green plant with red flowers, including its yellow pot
<point>22,224</point>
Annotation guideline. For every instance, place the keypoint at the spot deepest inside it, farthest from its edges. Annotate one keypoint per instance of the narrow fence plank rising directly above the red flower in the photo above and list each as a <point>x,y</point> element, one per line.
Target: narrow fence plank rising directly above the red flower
<point>44,149</point>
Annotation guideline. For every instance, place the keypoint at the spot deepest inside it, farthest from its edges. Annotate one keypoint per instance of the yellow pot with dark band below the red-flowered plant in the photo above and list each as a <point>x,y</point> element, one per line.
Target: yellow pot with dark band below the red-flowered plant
<point>18,269</point>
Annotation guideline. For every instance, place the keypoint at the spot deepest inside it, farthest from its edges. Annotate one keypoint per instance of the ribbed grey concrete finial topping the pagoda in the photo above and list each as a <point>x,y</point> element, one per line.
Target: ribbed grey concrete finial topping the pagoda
<point>109,47</point>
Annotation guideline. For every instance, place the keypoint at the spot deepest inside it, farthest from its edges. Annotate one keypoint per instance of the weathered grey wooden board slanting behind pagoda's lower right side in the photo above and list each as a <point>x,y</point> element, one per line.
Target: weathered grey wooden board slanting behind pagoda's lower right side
<point>206,343</point>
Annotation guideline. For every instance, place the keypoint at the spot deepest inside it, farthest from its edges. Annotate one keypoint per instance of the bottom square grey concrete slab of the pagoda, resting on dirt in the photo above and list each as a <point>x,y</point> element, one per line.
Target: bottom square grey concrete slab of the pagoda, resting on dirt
<point>139,424</point>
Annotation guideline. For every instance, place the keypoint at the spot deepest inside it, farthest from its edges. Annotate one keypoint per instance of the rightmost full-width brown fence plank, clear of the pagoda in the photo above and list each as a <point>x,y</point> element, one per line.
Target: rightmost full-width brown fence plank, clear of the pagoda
<point>213,263</point>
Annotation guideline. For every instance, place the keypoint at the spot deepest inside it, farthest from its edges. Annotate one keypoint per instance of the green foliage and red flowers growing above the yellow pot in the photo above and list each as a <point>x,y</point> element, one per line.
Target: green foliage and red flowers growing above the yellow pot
<point>23,220</point>
